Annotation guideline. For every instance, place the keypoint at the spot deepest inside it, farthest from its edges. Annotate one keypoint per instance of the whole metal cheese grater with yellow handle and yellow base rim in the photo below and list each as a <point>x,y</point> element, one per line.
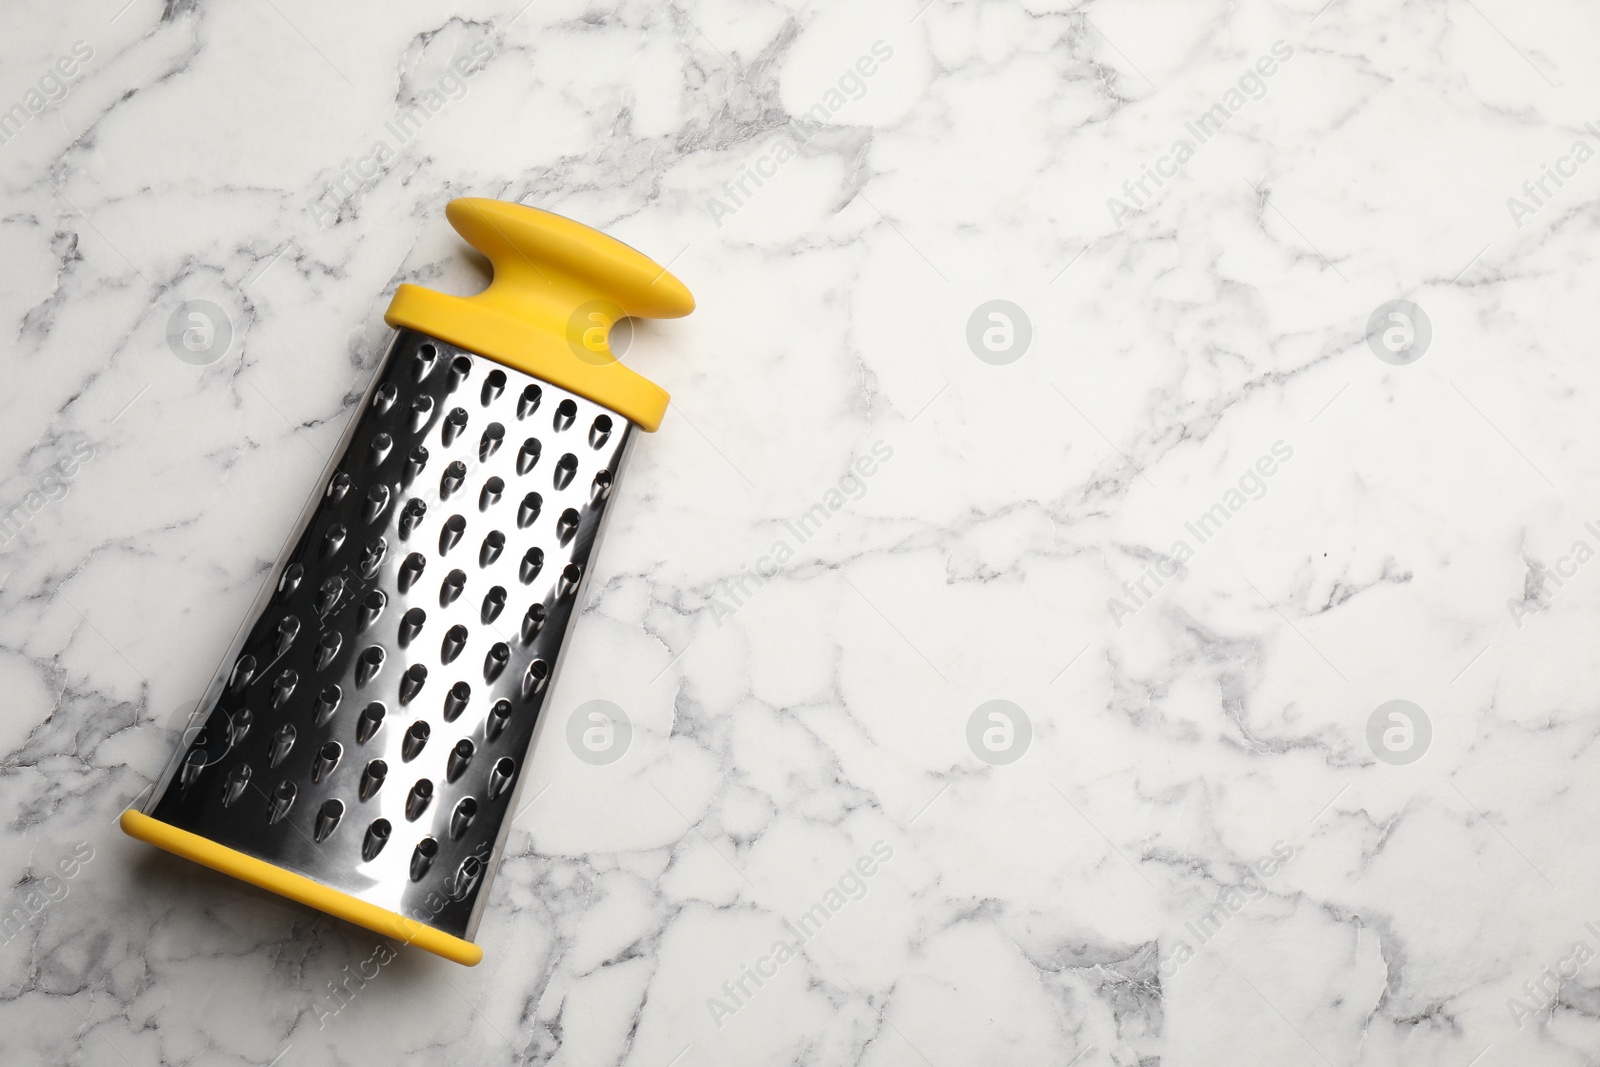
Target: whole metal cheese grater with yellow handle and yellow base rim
<point>364,743</point>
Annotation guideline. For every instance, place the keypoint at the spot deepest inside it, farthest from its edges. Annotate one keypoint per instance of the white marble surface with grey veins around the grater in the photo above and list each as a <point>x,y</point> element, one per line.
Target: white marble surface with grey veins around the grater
<point>1172,510</point>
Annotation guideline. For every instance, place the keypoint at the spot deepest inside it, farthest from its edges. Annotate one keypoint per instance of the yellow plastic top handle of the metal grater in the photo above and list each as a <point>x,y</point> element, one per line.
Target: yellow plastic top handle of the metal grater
<point>559,287</point>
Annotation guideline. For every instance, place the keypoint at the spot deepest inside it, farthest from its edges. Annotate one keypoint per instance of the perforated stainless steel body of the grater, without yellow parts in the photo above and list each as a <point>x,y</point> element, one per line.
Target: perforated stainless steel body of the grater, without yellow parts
<point>375,729</point>
